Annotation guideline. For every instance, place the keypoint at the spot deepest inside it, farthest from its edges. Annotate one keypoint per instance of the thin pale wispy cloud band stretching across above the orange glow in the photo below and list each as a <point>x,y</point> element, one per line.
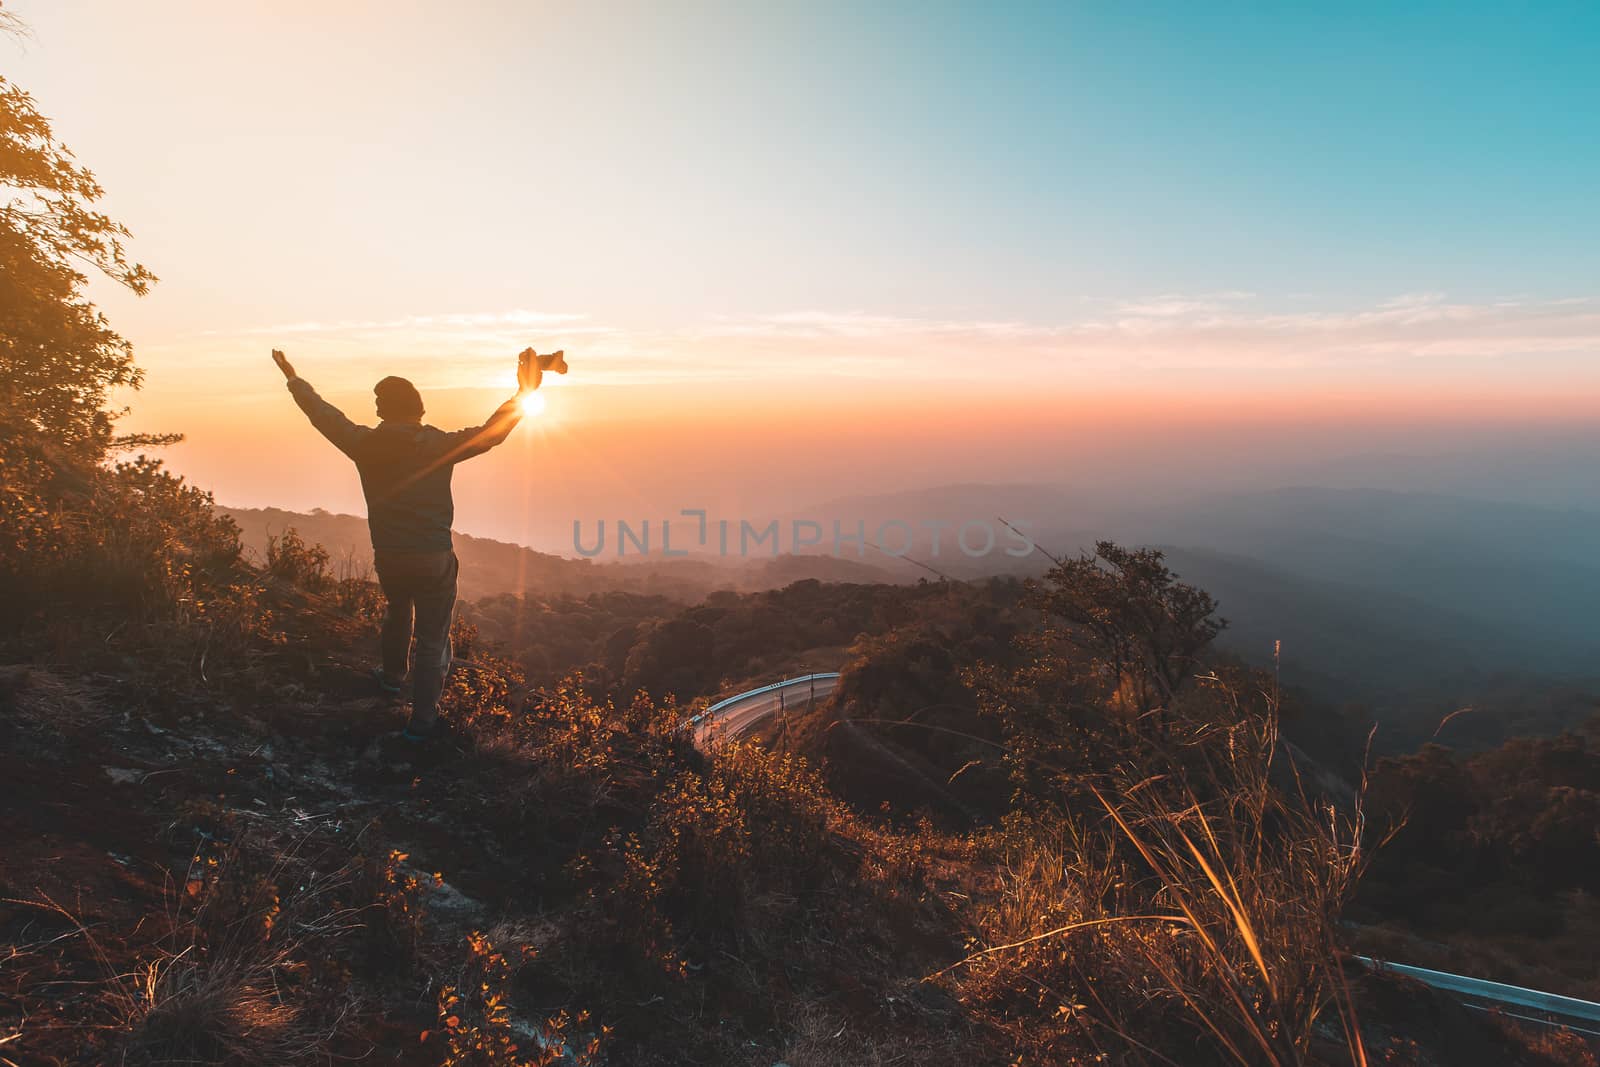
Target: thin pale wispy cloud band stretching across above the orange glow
<point>1223,332</point>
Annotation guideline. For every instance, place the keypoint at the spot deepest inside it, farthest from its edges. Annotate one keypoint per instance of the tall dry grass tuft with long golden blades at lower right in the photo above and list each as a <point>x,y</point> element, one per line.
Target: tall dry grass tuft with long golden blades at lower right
<point>1193,922</point>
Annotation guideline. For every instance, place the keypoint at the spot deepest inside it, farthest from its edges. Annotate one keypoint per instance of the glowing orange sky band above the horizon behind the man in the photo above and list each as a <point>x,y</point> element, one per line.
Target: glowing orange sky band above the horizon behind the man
<point>636,452</point>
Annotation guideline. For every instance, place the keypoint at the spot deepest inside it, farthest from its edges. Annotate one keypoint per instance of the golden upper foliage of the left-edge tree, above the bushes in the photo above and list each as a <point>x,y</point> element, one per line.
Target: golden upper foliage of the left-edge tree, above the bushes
<point>58,356</point>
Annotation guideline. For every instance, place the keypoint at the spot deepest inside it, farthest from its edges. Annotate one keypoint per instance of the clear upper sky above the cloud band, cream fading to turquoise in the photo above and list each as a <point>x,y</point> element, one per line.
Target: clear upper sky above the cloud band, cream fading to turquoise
<point>988,159</point>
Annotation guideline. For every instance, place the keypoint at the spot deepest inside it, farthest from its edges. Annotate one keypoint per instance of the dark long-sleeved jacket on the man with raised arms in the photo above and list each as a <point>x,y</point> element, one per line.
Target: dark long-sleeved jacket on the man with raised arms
<point>406,468</point>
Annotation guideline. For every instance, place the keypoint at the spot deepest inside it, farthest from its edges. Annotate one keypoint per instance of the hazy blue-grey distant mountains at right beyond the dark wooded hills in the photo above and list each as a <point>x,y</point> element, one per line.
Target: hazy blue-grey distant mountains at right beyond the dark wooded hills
<point>1374,593</point>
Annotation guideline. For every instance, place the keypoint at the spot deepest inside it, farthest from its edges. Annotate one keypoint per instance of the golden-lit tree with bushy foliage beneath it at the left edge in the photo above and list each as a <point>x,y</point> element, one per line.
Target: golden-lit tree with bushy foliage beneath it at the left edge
<point>79,537</point>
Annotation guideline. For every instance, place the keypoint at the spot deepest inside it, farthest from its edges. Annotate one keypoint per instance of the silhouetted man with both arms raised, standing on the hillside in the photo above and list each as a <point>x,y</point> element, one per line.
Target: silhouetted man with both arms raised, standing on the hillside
<point>406,471</point>
